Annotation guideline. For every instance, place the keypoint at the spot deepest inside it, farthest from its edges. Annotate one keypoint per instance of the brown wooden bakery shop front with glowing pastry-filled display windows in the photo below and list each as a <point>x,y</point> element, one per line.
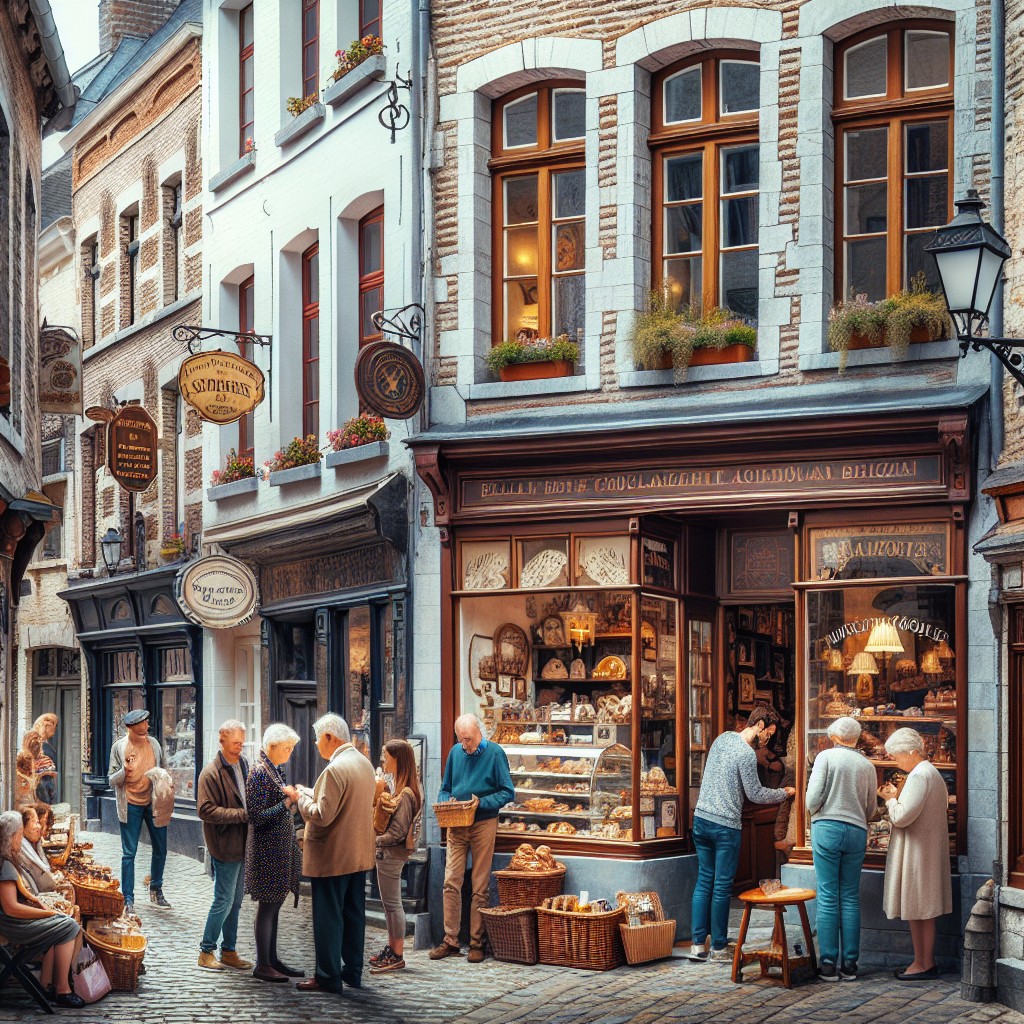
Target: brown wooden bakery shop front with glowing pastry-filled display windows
<point>614,601</point>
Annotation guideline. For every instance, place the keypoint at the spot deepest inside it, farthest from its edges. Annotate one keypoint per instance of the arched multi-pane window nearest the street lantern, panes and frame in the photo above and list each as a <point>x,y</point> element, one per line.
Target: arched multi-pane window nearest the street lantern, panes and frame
<point>893,117</point>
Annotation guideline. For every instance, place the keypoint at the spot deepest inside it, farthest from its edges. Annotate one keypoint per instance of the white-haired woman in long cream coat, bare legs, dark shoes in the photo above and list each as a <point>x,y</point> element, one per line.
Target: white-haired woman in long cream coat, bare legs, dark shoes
<point>918,883</point>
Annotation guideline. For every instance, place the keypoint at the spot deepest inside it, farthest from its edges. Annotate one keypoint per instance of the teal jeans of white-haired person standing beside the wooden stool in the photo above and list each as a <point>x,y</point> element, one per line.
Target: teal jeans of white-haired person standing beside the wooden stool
<point>839,856</point>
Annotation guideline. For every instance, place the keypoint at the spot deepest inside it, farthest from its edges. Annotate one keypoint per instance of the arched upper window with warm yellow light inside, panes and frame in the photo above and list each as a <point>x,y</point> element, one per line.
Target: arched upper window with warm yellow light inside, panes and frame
<point>540,193</point>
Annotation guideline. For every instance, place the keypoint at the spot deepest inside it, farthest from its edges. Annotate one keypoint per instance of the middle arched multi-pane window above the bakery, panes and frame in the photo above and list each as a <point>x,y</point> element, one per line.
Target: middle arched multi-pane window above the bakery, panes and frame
<point>706,184</point>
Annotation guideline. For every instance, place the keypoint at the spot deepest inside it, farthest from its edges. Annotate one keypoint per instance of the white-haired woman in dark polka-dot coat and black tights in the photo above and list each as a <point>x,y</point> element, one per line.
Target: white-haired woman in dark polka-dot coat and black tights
<point>272,851</point>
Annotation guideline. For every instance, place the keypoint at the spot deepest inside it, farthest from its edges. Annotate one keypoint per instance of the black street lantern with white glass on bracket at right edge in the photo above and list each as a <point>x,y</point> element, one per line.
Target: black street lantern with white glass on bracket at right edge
<point>969,255</point>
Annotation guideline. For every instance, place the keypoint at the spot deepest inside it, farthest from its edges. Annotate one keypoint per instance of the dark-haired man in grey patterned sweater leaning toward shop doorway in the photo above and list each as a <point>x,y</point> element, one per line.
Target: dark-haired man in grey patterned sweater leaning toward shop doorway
<point>730,776</point>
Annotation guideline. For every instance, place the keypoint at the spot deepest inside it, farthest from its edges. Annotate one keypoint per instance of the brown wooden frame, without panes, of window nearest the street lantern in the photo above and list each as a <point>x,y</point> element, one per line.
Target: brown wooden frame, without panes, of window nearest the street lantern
<point>895,111</point>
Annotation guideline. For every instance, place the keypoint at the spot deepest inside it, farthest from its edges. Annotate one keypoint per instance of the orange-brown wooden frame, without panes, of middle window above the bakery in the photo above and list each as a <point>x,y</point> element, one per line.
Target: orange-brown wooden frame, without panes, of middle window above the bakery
<point>709,137</point>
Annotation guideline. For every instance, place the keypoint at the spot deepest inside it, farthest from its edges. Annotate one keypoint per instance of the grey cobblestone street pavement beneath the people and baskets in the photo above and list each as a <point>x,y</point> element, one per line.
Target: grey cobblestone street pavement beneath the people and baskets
<point>176,992</point>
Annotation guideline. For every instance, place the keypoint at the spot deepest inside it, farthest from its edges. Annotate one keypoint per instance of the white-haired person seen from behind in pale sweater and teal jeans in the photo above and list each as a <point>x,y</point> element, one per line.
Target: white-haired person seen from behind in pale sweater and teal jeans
<point>841,800</point>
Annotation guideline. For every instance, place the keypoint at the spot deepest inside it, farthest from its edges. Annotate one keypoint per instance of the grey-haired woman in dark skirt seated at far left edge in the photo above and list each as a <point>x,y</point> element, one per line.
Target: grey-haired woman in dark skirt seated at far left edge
<point>25,922</point>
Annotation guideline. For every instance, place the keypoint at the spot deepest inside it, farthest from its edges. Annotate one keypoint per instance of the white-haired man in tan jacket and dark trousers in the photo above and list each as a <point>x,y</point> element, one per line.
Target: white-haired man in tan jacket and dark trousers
<point>337,852</point>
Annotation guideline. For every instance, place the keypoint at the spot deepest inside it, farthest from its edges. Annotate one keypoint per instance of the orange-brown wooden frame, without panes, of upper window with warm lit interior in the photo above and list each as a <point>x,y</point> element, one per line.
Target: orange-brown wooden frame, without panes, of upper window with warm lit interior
<point>543,159</point>
